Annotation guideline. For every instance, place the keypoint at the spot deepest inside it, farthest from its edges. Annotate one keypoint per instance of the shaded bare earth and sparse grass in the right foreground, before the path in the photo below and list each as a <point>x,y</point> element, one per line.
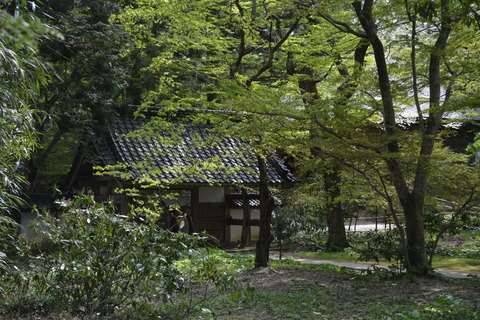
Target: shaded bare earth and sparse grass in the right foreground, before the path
<point>292,293</point>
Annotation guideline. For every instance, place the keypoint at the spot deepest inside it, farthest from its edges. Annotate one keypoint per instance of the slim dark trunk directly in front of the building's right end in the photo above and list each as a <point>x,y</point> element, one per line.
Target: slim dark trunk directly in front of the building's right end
<point>262,253</point>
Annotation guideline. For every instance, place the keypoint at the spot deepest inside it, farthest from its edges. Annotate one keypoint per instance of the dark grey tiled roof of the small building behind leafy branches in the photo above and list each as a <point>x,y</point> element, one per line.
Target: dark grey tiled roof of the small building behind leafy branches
<point>192,156</point>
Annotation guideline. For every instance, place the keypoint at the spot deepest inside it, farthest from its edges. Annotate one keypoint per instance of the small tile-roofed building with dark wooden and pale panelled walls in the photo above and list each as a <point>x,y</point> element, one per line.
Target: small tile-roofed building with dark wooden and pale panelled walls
<point>206,170</point>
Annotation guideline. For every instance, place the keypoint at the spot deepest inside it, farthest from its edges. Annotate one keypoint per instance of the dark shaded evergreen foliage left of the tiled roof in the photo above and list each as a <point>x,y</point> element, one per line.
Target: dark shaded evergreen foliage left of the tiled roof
<point>90,77</point>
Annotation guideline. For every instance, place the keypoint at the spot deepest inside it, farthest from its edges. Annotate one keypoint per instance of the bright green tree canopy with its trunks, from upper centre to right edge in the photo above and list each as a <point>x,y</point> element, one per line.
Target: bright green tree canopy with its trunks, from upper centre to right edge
<point>316,80</point>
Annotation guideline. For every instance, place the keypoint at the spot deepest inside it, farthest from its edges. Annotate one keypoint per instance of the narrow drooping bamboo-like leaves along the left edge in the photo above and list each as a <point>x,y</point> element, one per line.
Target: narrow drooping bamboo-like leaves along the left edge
<point>22,74</point>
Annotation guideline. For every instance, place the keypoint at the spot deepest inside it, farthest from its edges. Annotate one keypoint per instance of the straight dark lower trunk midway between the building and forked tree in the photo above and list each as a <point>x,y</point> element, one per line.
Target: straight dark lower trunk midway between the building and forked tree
<point>337,237</point>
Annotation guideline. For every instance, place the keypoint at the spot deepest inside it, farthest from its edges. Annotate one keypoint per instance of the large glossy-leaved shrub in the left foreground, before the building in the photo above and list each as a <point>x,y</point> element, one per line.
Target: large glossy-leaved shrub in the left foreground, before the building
<point>101,265</point>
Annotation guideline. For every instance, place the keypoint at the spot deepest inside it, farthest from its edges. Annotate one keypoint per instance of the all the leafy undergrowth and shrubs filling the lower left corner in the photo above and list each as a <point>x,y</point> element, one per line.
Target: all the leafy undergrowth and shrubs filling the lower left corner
<point>99,265</point>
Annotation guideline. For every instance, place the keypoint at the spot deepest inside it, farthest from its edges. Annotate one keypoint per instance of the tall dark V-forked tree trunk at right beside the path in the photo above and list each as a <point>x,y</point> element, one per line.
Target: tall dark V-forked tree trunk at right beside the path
<point>412,202</point>
